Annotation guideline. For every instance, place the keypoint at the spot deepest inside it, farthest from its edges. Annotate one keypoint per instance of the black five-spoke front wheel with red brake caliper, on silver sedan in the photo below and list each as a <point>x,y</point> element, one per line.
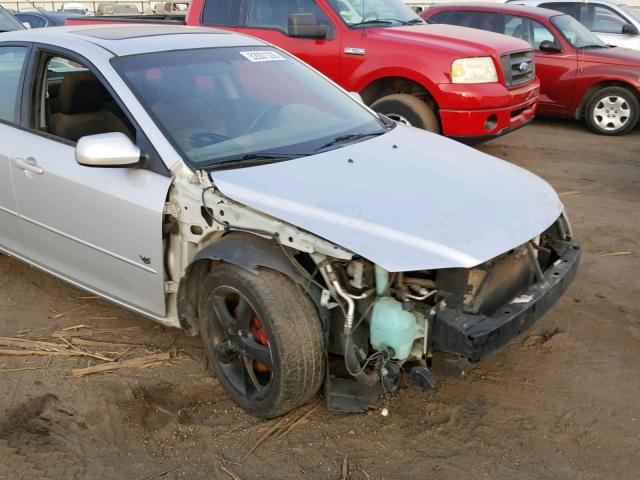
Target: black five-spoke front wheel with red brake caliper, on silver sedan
<point>263,339</point>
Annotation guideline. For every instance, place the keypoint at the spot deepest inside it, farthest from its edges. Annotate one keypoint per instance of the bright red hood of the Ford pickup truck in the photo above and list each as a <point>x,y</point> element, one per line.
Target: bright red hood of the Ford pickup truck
<point>465,42</point>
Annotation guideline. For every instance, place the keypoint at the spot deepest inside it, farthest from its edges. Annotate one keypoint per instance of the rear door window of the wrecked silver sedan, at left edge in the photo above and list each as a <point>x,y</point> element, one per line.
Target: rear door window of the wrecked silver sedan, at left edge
<point>12,61</point>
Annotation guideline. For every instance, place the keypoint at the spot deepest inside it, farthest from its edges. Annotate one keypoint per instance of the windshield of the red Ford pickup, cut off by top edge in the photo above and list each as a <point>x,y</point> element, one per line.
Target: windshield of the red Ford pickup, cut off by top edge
<point>376,12</point>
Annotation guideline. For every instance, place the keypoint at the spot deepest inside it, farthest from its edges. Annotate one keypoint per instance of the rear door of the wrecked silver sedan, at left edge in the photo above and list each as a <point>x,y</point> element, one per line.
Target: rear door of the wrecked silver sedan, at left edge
<point>12,62</point>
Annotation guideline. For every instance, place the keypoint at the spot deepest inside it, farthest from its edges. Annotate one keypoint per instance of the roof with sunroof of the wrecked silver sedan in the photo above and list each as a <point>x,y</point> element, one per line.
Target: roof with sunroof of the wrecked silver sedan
<point>131,39</point>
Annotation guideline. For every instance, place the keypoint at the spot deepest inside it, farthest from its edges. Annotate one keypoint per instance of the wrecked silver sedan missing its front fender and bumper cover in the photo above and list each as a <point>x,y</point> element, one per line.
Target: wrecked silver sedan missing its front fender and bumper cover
<point>214,183</point>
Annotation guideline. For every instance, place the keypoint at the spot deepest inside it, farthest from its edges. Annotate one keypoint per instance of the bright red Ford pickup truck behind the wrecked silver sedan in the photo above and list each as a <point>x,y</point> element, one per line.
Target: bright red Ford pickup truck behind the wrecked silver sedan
<point>461,82</point>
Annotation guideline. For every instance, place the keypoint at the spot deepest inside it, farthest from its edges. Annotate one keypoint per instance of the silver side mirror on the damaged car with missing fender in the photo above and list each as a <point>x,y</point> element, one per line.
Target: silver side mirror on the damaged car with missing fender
<point>107,150</point>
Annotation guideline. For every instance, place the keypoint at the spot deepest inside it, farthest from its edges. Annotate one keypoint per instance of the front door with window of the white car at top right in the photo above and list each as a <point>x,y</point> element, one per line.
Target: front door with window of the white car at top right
<point>608,24</point>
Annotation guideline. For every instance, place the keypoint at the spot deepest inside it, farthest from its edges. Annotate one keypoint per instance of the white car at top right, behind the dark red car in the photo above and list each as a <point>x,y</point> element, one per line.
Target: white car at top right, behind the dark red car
<point>614,23</point>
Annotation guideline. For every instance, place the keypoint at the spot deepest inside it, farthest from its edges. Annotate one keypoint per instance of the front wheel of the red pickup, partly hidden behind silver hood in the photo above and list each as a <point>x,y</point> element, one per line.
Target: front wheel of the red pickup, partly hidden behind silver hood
<point>409,110</point>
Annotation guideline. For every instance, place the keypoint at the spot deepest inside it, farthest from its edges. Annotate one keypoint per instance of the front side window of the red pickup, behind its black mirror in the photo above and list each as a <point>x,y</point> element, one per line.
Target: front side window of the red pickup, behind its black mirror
<point>274,14</point>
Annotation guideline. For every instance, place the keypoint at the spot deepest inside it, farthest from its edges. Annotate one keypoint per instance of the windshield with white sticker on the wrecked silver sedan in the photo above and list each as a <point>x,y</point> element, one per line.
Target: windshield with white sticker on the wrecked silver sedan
<point>224,105</point>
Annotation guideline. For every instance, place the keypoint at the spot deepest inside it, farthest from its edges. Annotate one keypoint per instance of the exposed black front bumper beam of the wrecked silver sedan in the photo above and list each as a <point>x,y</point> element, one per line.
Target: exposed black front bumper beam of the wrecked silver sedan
<point>477,336</point>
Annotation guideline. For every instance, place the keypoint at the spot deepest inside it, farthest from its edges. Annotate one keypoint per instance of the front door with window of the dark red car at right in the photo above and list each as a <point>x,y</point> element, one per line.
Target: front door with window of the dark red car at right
<point>556,70</point>
